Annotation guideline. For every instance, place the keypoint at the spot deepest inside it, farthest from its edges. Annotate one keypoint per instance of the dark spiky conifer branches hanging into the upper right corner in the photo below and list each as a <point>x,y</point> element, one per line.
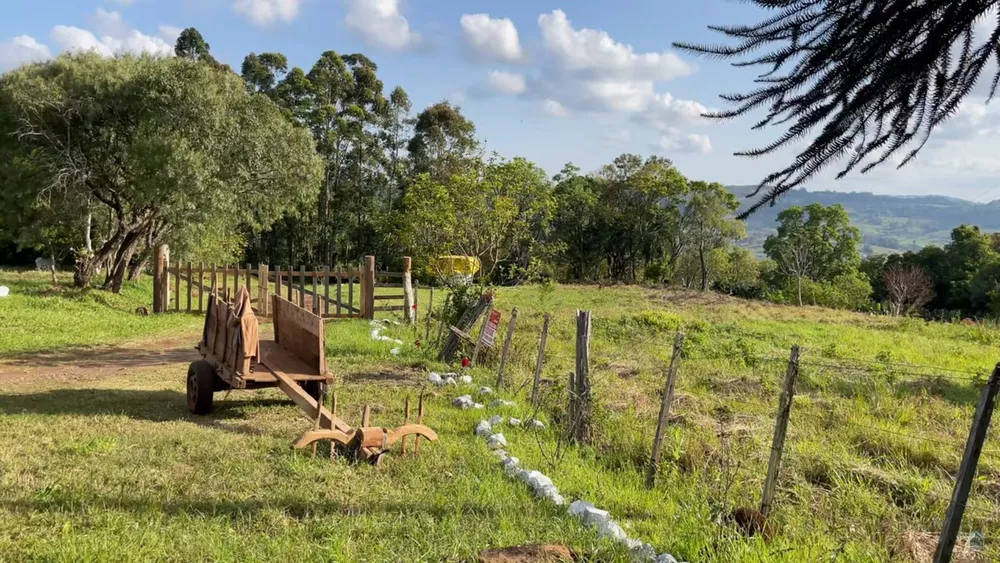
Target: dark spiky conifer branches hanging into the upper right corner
<point>873,76</point>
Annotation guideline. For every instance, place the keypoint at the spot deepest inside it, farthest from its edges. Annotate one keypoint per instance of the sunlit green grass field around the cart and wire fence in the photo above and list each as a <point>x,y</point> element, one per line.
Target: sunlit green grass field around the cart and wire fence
<point>107,463</point>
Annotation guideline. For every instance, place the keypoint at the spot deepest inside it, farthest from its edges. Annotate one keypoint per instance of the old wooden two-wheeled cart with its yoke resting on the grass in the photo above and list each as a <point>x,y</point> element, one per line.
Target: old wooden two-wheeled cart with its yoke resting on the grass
<point>234,357</point>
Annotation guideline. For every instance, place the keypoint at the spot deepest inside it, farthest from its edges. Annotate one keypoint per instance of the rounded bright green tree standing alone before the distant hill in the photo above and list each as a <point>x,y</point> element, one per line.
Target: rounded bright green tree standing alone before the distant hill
<point>816,243</point>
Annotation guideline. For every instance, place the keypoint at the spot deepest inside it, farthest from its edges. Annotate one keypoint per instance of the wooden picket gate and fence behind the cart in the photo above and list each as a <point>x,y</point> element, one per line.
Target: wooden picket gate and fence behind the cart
<point>331,293</point>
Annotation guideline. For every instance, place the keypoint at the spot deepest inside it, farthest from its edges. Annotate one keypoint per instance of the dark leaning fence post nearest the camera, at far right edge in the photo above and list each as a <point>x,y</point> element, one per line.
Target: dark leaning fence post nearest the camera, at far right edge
<point>967,471</point>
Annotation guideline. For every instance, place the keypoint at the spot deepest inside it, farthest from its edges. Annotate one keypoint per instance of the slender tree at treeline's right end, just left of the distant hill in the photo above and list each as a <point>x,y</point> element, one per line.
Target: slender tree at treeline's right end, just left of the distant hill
<point>711,226</point>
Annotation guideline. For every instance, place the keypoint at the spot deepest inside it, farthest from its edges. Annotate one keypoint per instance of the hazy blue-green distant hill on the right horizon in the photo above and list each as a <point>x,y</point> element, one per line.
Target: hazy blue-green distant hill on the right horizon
<point>888,223</point>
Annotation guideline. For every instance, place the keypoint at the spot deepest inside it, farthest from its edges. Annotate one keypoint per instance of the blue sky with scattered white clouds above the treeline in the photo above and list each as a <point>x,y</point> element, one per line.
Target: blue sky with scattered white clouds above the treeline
<point>562,81</point>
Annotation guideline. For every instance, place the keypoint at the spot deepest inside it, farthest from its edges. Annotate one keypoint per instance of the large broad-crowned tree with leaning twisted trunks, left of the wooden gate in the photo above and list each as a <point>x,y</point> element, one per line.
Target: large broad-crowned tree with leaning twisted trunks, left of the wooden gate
<point>157,148</point>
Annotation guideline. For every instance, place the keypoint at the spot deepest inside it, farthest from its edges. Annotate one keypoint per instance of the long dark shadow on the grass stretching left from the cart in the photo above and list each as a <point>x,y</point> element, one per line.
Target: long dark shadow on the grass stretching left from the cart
<point>153,406</point>
